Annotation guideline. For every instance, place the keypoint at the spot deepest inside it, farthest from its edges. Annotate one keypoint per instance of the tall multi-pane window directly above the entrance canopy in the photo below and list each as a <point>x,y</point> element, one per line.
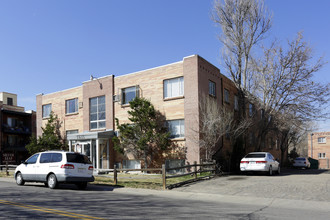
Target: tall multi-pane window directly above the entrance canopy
<point>97,112</point>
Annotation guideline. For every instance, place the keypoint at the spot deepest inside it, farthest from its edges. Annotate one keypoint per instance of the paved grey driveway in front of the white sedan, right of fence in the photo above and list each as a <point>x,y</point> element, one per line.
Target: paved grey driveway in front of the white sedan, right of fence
<point>298,184</point>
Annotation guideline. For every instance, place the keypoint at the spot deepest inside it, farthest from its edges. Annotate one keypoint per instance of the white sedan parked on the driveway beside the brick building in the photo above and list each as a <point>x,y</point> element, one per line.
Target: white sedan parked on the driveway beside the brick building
<point>260,162</point>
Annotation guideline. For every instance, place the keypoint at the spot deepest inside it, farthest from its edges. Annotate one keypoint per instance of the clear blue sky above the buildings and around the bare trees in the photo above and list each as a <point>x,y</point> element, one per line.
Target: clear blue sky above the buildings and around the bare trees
<point>47,46</point>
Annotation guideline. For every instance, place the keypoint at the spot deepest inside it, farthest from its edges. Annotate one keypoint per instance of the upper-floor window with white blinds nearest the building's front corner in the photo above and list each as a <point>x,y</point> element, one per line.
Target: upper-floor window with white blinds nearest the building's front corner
<point>173,88</point>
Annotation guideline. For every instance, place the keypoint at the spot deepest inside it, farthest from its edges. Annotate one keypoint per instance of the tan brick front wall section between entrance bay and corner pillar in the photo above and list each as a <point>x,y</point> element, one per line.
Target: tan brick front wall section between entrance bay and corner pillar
<point>150,83</point>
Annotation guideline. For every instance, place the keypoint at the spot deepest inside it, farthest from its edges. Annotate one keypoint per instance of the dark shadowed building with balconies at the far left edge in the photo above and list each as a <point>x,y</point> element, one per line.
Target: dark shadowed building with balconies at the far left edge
<point>16,128</point>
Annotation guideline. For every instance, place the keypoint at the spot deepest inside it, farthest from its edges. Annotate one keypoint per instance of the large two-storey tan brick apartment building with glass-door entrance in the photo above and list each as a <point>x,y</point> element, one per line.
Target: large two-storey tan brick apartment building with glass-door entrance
<point>88,111</point>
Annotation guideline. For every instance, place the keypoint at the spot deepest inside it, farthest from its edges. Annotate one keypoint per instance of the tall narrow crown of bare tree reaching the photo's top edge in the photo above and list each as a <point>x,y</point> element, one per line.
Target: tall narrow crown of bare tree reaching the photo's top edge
<point>244,23</point>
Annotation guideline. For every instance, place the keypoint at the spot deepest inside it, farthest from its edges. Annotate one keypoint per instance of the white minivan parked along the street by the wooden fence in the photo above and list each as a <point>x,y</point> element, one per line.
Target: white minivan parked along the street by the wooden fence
<point>54,167</point>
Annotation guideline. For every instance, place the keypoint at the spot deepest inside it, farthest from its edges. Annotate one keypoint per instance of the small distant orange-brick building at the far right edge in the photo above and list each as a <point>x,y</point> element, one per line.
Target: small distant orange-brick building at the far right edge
<point>319,148</point>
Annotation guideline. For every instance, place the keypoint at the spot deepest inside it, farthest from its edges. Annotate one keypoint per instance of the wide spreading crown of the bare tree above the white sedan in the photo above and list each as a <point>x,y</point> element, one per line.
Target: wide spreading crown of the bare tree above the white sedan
<point>285,90</point>
